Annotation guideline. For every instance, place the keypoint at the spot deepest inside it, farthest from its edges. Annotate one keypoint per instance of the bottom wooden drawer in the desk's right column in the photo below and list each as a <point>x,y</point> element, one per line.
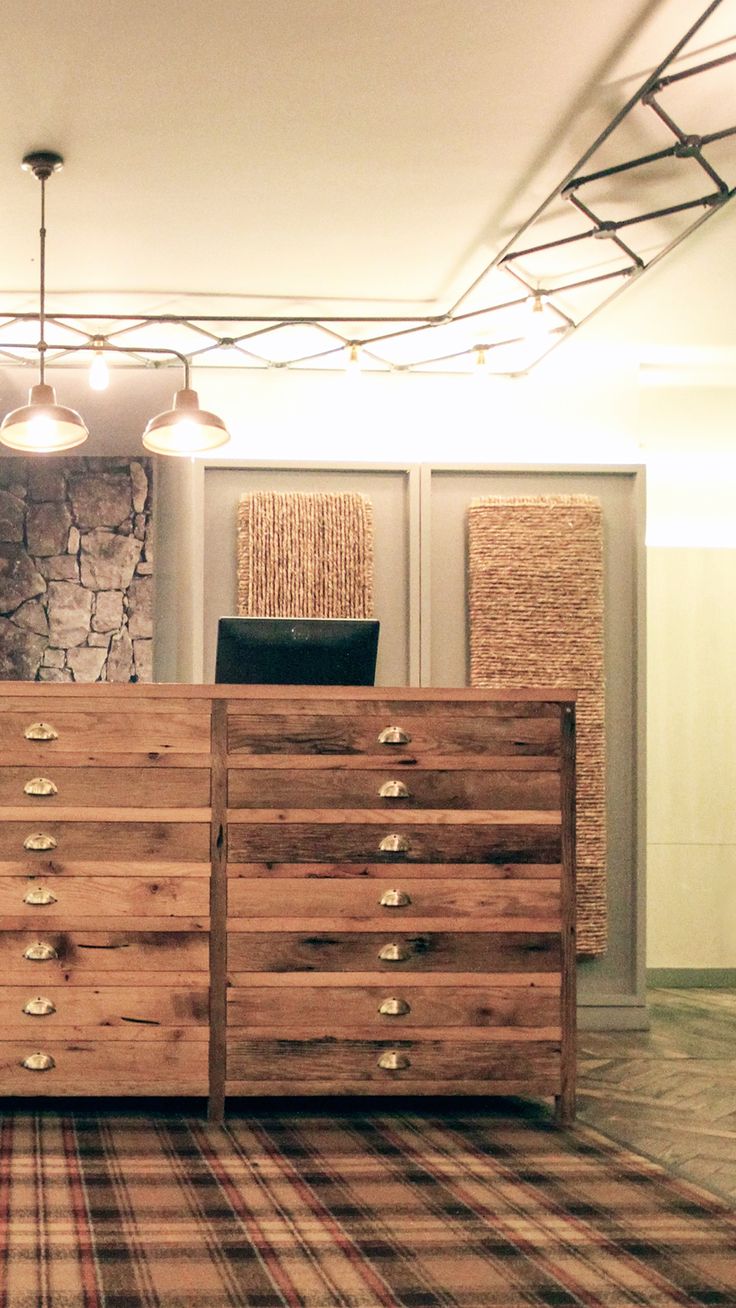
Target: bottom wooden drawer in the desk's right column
<point>358,1060</point>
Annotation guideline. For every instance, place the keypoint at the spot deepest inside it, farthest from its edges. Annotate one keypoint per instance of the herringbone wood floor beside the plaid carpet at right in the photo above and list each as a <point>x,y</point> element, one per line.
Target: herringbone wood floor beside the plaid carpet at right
<point>670,1093</point>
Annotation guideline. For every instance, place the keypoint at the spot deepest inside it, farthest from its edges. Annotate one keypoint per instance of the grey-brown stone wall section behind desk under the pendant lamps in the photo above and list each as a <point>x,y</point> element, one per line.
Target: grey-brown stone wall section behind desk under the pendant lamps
<point>76,570</point>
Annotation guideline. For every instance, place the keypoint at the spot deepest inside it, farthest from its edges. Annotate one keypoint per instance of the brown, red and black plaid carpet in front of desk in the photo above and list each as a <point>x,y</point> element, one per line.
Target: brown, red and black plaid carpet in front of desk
<point>322,1208</point>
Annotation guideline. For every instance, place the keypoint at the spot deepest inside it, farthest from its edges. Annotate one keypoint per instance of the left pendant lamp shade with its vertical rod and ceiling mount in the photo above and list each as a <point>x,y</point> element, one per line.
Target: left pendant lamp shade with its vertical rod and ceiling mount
<point>42,426</point>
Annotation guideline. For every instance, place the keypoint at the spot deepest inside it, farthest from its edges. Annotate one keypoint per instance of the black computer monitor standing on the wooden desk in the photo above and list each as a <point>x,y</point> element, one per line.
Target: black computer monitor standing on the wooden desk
<point>296,651</point>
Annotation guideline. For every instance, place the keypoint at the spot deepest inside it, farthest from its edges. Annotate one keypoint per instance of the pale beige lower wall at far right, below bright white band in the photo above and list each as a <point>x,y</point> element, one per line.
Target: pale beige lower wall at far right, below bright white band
<point>692,759</point>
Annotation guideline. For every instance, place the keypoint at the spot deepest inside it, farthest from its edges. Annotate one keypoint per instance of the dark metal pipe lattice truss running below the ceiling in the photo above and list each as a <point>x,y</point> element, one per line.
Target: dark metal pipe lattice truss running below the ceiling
<point>564,281</point>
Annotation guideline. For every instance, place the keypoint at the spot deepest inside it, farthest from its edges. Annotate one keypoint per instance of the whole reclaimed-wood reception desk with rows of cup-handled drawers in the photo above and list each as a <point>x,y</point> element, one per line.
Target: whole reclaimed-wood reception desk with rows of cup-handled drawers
<point>273,891</point>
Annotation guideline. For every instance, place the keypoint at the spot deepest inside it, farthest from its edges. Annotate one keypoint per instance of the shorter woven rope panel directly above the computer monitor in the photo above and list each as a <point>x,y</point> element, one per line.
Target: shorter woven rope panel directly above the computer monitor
<point>305,555</point>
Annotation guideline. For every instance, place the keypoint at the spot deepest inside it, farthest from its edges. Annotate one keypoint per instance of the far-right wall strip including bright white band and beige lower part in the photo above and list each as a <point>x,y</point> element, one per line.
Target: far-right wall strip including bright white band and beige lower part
<point>692,674</point>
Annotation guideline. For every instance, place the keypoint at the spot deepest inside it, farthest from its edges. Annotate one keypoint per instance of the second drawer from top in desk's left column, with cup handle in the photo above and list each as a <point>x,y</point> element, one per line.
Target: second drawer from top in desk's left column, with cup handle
<point>127,788</point>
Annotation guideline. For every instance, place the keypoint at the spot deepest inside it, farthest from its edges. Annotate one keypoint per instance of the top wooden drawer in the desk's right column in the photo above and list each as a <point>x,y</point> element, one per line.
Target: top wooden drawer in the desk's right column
<point>335,734</point>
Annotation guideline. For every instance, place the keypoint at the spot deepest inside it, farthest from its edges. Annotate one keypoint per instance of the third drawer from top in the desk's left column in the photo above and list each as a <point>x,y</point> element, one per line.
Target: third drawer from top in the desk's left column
<point>116,840</point>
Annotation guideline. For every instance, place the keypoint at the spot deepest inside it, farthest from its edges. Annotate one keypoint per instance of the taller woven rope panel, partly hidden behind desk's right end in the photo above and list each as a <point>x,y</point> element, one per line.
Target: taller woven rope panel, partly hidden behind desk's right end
<point>537,619</point>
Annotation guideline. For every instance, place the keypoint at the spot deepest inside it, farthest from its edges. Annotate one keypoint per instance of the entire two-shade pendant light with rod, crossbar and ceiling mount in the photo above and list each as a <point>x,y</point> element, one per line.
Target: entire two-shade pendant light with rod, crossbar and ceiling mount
<point>45,427</point>
